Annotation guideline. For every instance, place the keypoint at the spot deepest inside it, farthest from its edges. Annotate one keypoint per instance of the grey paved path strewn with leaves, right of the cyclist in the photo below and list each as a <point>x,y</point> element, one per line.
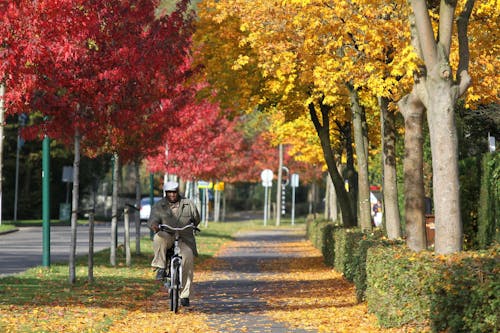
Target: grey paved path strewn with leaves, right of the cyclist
<point>231,299</point>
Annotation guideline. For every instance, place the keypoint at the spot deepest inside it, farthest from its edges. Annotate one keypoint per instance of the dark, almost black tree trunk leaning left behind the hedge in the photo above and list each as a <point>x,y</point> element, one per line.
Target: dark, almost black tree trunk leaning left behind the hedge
<point>323,131</point>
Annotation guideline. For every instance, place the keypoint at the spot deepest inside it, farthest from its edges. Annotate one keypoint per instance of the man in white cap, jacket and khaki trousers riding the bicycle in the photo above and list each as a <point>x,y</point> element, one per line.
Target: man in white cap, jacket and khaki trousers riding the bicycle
<point>175,211</point>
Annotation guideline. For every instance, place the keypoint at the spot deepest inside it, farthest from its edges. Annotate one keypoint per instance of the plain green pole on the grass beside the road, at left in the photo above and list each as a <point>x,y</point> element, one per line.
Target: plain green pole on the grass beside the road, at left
<point>46,201</point>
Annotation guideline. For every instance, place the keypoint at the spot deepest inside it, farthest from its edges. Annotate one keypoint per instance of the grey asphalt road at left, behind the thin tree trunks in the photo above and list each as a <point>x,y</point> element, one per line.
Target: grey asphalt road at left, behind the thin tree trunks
<point>23,249</point>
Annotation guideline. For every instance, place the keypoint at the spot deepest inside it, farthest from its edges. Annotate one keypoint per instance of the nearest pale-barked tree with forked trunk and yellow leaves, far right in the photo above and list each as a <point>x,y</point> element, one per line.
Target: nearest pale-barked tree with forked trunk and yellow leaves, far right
<point>443,33</point>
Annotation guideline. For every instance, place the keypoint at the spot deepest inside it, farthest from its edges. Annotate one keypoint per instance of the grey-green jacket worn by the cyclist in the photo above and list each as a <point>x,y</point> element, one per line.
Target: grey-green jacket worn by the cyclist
<point>187,213</point>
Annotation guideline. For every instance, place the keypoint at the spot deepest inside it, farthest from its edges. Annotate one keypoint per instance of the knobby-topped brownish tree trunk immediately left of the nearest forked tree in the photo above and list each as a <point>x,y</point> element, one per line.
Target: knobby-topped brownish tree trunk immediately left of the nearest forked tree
<point>413,111</point>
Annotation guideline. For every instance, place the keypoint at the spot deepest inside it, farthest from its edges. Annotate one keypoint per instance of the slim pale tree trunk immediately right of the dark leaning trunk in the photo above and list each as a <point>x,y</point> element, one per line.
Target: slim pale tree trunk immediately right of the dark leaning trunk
<point>360,139</point>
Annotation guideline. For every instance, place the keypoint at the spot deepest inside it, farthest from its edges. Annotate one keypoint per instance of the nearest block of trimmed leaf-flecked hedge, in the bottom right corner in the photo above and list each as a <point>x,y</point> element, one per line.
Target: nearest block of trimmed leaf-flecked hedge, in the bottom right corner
<point>454,293</point>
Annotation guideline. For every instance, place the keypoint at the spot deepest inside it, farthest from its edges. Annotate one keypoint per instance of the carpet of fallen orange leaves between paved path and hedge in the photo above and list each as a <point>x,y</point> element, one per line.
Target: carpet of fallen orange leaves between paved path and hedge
<point>308,294</point>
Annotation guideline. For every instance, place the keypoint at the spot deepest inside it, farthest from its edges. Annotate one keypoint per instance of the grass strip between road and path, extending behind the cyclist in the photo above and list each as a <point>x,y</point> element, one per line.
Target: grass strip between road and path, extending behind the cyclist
<point>42,300</point>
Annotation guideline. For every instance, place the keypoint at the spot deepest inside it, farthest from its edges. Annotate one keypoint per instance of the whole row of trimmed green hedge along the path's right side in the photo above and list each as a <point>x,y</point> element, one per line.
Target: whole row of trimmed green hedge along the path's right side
<point>453,293</point>
